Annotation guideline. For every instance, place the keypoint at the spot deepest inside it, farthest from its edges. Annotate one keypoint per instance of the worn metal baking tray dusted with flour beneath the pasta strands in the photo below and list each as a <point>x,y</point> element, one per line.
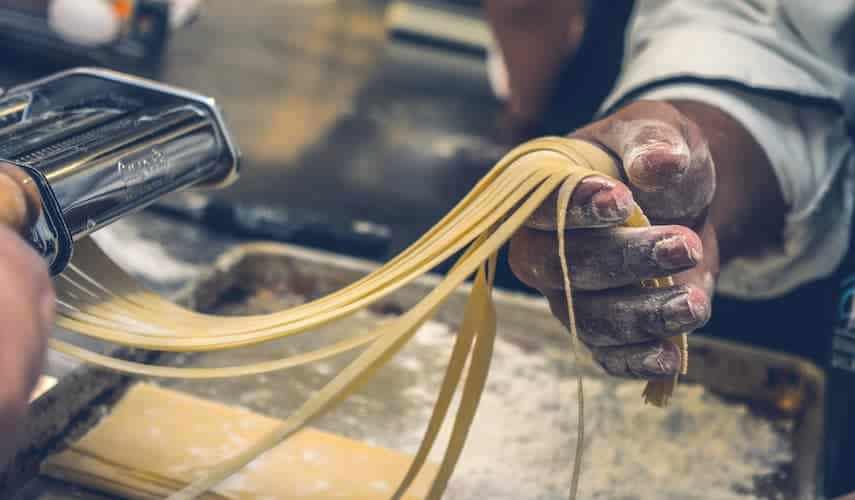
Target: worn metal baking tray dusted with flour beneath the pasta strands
<point>755,442</point>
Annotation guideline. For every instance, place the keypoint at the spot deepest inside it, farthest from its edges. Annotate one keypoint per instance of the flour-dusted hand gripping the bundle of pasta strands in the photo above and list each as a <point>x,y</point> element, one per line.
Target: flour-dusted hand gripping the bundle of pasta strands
<point>669,172</point>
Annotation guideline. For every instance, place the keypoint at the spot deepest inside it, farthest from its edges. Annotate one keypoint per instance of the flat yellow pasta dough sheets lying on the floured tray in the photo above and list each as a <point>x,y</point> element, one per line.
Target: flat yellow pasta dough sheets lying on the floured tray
<point>156,441</point>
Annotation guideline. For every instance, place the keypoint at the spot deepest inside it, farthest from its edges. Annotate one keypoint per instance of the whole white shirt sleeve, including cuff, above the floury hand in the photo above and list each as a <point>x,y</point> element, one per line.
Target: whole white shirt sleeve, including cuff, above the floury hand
<point>722,53</point>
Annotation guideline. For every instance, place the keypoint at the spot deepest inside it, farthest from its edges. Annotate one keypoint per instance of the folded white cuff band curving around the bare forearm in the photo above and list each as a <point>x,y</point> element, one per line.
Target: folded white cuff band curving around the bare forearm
<point>812,158</point>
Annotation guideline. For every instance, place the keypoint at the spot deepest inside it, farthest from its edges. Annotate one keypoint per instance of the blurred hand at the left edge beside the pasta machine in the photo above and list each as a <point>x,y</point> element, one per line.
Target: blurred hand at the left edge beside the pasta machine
<point>26,308</point>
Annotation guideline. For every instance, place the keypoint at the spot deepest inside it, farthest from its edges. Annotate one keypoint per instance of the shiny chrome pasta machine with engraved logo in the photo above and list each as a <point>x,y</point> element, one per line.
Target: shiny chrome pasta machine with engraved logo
<point>100,144</point>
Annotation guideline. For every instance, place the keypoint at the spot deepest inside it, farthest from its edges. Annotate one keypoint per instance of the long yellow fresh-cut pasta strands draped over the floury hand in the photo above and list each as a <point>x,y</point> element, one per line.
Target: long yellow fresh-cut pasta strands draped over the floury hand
<point>98,299</point>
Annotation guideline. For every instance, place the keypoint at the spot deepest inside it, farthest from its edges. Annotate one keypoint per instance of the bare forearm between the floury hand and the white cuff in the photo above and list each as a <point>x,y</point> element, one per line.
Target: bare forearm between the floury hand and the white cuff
<point>748,208</point>
